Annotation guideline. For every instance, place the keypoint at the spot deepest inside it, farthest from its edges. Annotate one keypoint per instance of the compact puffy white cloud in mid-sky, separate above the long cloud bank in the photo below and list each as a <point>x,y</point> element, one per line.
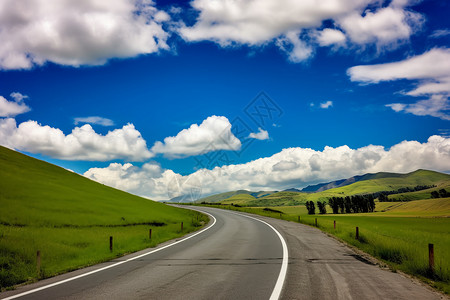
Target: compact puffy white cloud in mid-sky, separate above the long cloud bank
<point>213,134</point>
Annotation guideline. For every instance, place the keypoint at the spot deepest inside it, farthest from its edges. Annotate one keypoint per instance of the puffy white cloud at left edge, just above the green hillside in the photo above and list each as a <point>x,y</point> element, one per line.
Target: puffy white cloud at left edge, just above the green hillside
<point>82,144</point>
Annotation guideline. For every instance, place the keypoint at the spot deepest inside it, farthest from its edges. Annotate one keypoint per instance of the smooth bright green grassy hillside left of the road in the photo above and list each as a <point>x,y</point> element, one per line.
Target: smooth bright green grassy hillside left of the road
<point>69,218</point>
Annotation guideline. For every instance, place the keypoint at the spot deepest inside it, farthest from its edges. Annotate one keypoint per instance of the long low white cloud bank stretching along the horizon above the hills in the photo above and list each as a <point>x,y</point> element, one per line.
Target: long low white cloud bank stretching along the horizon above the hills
<point>291,167</point>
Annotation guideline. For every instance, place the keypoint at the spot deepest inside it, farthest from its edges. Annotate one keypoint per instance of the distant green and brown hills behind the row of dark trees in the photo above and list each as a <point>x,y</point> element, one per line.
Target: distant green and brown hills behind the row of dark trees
<point>379,182</point>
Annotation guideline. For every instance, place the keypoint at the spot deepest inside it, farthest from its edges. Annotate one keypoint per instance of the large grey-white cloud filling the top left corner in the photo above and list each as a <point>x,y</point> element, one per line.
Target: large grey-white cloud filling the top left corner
<point>78,32</point>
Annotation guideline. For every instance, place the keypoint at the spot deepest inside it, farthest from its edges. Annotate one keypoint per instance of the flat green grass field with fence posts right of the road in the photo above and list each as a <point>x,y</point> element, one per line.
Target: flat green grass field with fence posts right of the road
<point>399,236</point>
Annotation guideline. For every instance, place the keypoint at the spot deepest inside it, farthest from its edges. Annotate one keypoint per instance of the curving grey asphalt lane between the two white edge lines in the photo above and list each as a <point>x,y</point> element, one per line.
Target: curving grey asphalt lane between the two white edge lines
<point>236,257</point>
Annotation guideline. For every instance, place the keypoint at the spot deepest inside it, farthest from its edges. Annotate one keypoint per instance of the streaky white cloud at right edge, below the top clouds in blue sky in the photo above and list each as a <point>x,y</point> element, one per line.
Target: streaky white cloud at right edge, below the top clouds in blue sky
<point>432,72</point>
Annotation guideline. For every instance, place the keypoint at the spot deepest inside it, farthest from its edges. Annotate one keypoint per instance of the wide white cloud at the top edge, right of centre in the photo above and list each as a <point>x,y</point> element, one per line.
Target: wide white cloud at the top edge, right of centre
<point>290,23</point>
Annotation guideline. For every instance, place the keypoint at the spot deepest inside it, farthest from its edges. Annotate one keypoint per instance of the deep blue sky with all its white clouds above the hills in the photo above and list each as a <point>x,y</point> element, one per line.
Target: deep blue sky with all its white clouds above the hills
<point>190,98</point>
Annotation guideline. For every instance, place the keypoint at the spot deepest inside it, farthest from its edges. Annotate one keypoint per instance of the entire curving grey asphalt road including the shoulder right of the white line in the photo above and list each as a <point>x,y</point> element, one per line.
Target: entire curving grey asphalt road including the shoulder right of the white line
<point>237,257</point>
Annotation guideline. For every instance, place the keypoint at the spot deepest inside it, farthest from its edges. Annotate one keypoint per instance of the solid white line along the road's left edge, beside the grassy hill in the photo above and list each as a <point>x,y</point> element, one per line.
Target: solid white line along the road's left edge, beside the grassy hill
<point>111,266</point>
